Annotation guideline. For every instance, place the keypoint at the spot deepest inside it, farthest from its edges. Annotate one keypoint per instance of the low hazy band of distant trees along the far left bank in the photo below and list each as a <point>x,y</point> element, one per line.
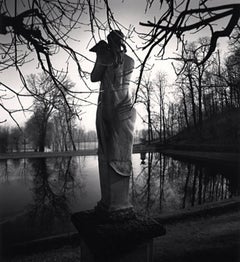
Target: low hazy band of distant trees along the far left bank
<point>13,139</point>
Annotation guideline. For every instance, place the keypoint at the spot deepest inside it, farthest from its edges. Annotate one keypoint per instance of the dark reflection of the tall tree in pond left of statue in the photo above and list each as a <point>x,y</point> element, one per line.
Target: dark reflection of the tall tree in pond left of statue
<point>37,201</point>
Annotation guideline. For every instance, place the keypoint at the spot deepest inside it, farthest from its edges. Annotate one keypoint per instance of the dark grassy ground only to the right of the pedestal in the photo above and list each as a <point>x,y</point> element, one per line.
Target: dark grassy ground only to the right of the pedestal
<point>215,238</point>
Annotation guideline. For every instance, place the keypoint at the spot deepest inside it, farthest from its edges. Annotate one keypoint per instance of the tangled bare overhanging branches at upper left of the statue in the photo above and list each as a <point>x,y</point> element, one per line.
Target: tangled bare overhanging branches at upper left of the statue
<point>40,30</point>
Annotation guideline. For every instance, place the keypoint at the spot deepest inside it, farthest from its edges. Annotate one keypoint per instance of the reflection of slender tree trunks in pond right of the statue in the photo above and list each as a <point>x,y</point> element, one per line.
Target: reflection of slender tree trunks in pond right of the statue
<point>165,184</point>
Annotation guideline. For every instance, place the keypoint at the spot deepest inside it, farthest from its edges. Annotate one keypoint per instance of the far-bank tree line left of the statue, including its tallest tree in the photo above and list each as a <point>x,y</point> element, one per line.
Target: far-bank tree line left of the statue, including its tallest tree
<point>52,123</point>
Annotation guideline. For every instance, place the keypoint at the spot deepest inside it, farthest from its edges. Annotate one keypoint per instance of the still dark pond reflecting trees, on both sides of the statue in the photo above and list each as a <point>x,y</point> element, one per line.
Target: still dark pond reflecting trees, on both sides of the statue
<point>37,196</point>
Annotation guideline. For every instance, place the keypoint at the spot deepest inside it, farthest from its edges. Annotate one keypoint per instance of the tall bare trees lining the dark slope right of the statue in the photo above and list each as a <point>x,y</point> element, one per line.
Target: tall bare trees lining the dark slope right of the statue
<point>202,90</point>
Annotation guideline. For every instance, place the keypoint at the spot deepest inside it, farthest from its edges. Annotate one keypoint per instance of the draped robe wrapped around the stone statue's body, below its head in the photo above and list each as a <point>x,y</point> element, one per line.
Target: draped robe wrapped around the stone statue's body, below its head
<point>116,116</point>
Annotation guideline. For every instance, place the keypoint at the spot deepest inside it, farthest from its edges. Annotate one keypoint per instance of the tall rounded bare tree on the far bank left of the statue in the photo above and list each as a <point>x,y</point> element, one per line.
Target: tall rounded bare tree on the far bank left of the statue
<point>48,101</point>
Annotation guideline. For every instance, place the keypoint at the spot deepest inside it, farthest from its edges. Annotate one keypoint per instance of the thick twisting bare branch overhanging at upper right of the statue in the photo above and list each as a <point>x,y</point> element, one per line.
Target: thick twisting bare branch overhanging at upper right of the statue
<point>181,18</point>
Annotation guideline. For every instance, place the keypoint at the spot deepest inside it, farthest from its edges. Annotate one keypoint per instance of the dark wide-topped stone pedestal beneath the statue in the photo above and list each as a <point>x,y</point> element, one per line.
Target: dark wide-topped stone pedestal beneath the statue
<point>116,238</point>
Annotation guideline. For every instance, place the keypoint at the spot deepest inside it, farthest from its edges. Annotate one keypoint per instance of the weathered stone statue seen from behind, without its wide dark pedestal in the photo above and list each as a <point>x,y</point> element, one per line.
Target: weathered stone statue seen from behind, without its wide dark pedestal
<point>115,121</point>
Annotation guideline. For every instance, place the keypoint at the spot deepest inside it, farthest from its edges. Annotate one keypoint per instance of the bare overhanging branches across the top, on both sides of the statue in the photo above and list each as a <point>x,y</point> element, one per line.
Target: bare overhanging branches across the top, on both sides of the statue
<point>41,29</point>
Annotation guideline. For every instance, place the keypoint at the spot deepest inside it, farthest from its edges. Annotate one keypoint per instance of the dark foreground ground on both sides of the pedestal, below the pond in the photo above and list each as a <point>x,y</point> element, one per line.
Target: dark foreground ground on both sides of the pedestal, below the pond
<point>197,236</point>
